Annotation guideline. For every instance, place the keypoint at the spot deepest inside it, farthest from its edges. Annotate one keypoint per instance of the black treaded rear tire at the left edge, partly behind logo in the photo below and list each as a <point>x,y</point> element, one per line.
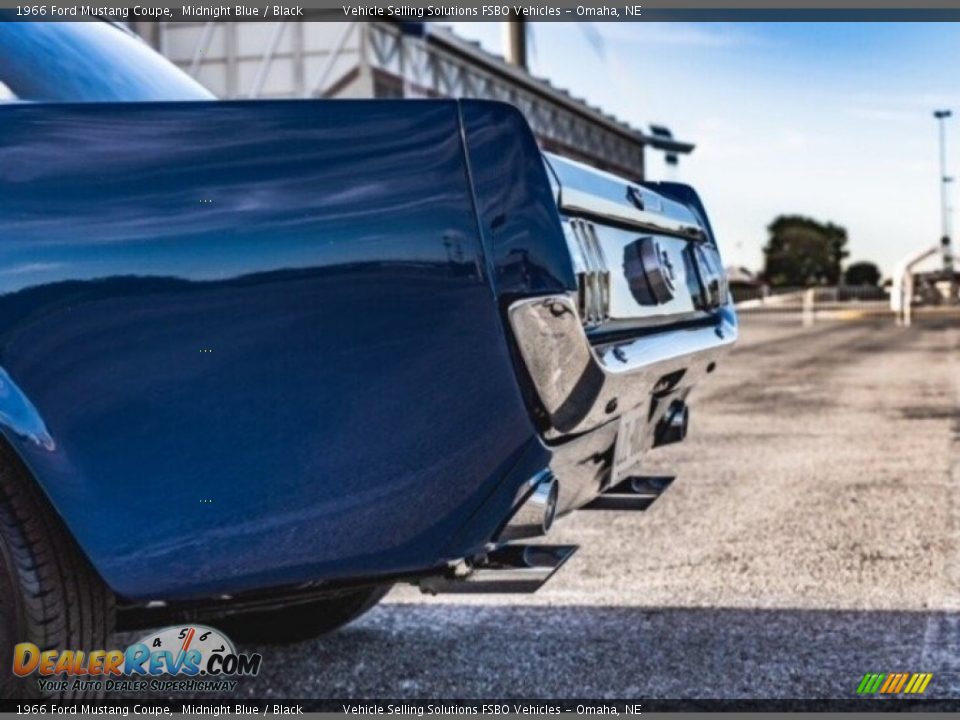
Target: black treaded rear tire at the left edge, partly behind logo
<point>49,594</point>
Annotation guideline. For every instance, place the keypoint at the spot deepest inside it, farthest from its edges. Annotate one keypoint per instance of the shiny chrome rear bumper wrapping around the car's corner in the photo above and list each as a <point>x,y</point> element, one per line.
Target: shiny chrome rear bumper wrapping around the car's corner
<point>581,386</point>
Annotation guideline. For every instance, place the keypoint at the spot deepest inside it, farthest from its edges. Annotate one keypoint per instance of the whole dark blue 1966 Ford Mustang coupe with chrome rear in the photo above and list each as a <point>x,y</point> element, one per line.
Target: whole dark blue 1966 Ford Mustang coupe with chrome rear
<point>279,355</point>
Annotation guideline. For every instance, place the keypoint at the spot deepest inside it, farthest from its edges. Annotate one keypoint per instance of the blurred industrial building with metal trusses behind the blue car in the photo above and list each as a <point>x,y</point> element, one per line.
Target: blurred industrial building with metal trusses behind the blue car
<point>385,59</point>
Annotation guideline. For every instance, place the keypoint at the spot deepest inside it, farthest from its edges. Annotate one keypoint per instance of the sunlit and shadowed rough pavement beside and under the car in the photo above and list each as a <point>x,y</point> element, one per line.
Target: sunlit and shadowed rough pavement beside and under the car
<point>811,536</point>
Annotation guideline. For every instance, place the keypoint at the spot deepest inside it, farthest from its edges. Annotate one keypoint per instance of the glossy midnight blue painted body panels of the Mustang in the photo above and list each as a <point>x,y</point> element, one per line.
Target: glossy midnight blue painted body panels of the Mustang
<point>247,345</point>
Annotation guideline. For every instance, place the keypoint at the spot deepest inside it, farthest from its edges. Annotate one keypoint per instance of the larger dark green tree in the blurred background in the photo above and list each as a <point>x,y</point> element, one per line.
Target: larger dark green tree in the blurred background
<point>802,251</point>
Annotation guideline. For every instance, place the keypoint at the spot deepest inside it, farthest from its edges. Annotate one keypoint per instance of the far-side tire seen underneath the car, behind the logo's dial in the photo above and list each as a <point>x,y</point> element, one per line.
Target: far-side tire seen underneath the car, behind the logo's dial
<point>303,621</point>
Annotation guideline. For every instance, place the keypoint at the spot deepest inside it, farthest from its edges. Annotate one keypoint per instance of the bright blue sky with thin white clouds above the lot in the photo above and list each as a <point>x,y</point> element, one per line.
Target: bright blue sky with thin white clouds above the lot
<point>829,120</point>
